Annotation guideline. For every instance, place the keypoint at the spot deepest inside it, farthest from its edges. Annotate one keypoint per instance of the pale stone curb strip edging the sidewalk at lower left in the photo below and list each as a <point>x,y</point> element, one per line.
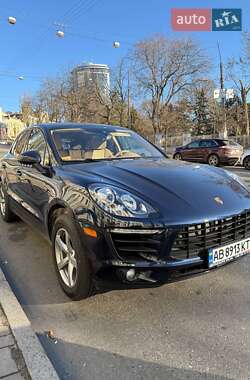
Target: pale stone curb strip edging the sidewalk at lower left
<point>37,362</point>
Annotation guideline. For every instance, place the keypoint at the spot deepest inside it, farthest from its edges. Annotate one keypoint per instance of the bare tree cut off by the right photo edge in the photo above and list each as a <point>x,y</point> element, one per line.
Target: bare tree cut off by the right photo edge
<point>239,74</point>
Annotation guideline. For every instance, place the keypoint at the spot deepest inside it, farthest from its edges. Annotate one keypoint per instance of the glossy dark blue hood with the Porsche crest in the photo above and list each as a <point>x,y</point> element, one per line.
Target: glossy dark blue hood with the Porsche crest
<point>180,192</point>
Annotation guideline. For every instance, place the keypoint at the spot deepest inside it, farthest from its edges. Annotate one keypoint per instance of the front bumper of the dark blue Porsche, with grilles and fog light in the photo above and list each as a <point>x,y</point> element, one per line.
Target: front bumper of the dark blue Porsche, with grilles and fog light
<point>156,255</point>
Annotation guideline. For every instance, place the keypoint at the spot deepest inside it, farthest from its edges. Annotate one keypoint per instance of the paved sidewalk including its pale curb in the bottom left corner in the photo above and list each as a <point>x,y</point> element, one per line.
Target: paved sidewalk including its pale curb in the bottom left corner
<point>22,356</point>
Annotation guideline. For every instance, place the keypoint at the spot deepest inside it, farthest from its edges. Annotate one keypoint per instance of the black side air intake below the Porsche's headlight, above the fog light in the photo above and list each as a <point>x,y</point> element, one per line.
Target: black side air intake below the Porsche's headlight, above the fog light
<point>138,245</point>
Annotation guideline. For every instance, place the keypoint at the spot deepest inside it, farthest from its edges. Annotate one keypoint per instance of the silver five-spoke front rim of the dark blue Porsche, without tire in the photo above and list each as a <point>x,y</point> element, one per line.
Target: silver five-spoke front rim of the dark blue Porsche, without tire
<point>66,258</point>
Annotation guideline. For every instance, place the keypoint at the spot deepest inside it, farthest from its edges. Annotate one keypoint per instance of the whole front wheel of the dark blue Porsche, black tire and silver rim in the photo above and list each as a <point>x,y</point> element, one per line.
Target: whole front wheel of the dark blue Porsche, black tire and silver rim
<point>75,274</point>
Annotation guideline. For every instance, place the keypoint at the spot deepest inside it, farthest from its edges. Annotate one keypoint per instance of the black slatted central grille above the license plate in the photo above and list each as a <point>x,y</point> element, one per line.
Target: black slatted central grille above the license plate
<point>196,239</point>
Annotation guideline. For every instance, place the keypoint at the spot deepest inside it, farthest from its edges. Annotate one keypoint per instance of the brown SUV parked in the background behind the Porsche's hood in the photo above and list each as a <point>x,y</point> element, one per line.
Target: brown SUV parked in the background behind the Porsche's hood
<point>214,152</point>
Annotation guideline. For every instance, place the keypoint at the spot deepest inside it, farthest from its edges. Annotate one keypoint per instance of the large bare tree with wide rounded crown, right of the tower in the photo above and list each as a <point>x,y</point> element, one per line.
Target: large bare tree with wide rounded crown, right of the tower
<point>163,68</point>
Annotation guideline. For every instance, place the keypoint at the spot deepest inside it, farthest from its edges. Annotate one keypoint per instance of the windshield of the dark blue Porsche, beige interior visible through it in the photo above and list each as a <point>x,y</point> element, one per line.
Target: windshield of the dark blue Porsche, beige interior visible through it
<point>79,144</point>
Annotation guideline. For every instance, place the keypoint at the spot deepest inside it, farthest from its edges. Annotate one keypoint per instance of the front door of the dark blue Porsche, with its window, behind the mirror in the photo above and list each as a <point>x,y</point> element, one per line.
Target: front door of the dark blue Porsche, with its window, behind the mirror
<point>37,185</point>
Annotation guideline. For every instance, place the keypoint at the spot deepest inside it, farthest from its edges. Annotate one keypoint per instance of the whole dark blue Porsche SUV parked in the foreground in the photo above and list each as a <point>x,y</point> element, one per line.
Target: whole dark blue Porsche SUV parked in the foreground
<point>116,209</point>
